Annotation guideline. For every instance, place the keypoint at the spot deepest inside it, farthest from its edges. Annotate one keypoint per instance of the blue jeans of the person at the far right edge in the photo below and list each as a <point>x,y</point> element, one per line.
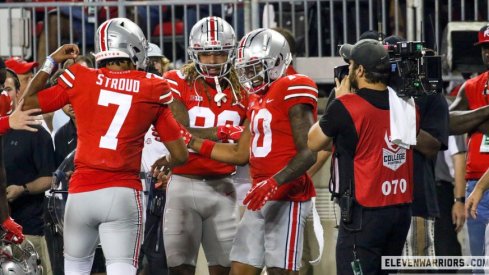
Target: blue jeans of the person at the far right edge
<point>477,227</point>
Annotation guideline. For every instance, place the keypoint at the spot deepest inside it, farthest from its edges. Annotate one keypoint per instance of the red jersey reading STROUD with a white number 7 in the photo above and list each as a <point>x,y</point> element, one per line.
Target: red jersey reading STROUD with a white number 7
<point>113,110</point>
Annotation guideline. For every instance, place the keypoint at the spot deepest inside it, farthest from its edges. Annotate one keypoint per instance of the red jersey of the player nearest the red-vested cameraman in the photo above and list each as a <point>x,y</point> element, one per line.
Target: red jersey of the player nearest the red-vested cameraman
<point>272,142</point>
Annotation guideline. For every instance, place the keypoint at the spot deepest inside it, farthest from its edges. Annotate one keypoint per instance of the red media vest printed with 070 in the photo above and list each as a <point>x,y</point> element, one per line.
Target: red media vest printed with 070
<point>383,172</point>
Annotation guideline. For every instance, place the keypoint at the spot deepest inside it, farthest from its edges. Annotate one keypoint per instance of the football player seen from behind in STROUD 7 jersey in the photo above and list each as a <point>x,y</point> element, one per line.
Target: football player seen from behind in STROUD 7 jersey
<point>115,106</point>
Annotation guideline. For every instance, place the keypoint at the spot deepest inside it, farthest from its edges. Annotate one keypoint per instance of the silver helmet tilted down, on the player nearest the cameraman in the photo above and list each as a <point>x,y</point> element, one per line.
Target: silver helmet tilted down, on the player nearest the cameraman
<point>263,55</point>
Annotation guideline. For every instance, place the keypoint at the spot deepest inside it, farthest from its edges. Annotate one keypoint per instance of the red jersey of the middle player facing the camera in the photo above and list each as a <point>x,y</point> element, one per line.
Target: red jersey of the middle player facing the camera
<point>203,112</point>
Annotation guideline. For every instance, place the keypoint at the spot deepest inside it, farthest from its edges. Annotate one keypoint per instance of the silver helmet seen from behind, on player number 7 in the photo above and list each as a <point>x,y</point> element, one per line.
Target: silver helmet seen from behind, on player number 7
<point>121,38</point>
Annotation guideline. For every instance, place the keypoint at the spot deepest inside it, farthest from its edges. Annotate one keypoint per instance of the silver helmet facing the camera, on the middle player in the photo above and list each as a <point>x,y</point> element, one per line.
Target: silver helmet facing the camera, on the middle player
<point>211,35</point>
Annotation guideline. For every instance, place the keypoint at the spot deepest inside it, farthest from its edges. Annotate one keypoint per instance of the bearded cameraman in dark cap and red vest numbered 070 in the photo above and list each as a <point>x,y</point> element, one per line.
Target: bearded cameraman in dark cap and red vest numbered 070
<point>374,221</point>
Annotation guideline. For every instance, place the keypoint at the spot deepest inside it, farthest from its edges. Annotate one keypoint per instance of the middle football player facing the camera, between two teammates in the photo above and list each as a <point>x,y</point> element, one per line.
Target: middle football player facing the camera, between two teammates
<point>201,203</point>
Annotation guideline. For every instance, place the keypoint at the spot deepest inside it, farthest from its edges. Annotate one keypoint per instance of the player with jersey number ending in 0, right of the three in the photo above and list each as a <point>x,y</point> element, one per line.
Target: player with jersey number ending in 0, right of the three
<point>281,110</point>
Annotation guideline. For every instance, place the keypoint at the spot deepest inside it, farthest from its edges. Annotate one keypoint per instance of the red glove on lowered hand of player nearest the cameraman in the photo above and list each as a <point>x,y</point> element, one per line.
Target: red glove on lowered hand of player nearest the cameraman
<point>260,194</point>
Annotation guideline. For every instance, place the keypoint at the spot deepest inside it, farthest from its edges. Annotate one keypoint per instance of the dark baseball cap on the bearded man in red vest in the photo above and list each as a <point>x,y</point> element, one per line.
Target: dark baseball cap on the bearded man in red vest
<point>367,52</point>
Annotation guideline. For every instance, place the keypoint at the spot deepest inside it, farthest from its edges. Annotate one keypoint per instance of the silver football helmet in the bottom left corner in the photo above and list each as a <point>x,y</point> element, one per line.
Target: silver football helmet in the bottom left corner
<point>19,259</point>
